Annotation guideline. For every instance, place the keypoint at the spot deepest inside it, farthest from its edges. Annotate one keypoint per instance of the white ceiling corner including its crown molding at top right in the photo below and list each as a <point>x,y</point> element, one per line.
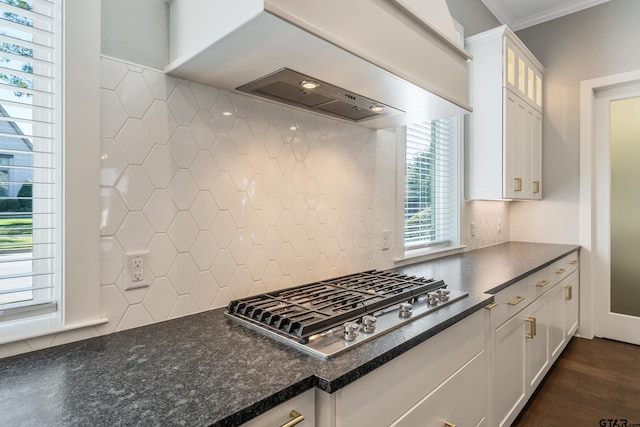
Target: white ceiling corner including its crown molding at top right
<point>519,14</point>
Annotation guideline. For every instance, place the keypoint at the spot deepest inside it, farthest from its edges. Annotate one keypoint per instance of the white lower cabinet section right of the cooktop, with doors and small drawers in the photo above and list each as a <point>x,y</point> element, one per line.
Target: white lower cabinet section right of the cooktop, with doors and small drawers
<point>523,346</point>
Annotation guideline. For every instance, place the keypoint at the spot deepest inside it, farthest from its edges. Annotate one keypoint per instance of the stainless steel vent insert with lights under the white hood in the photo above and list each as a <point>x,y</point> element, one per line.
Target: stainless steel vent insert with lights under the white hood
<point>285,86</point>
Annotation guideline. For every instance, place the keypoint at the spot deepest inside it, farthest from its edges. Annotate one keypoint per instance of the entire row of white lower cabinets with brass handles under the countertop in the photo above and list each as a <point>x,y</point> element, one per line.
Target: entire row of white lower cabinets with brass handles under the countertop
<point>479,372</point>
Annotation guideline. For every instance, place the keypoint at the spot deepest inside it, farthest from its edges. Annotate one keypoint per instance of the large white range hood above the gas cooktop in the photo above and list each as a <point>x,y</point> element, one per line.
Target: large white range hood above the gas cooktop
<point>377,63</point>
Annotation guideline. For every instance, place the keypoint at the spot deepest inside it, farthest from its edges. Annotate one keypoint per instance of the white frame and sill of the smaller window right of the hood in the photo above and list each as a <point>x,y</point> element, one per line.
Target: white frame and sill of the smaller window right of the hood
<point>401,253</point>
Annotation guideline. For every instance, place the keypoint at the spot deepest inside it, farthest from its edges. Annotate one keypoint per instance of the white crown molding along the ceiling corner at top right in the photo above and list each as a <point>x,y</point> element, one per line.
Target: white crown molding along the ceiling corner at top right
<point>504,16</point>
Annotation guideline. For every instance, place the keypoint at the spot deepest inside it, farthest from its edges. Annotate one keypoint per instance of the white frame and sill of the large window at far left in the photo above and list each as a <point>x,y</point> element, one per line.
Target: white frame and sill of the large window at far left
<point>79,304</point>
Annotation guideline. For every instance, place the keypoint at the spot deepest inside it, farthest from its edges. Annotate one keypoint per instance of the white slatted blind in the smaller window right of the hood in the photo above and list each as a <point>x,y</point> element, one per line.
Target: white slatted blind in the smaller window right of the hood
<point>430,185</point>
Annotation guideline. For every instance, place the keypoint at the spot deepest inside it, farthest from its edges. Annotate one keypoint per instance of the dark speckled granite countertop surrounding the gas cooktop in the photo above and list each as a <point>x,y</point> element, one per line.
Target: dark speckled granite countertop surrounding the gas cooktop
<point>205,370</point>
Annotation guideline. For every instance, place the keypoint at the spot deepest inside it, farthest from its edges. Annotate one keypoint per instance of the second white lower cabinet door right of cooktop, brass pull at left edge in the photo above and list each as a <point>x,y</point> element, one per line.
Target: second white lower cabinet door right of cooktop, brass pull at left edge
<point>537,339</point>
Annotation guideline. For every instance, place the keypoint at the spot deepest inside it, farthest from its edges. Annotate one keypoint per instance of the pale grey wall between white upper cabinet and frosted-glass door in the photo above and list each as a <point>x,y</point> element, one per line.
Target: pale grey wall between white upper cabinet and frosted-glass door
<point>592,43</point>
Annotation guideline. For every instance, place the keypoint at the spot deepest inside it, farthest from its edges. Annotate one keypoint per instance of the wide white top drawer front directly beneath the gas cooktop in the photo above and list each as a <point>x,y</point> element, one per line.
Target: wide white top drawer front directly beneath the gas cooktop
<point>399,385</point>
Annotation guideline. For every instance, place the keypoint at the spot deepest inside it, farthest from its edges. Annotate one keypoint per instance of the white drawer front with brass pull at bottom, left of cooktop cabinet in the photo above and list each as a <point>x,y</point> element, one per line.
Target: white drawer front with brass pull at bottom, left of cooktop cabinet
<point>301,406</point>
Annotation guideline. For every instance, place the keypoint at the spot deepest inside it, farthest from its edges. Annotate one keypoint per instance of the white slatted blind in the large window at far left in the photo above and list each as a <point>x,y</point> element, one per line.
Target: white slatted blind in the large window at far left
<point>29,144</point>
